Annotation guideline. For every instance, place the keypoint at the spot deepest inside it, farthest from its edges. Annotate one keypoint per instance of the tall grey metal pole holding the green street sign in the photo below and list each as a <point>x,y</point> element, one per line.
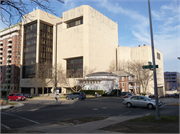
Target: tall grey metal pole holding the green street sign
<point>154,65</point>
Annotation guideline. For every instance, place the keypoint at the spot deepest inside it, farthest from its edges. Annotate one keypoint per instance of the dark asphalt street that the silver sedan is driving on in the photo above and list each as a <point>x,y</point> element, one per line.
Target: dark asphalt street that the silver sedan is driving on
<point>43,111</point>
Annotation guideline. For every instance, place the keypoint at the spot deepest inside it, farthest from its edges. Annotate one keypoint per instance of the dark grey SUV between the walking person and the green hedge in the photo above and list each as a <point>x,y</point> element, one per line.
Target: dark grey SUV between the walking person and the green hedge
<point>76,95</point>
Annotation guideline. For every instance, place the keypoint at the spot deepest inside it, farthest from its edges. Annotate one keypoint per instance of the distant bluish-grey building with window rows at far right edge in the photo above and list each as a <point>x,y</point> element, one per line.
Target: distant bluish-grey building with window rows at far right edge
<point>172,80</point>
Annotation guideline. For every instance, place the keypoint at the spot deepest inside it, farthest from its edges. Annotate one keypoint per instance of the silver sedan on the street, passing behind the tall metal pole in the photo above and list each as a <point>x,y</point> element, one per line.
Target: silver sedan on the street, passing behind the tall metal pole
<point>140,101</point>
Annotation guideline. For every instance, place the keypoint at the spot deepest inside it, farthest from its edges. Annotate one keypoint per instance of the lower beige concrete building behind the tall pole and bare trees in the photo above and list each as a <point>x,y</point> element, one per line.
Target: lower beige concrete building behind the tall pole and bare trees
<point>144,54</point>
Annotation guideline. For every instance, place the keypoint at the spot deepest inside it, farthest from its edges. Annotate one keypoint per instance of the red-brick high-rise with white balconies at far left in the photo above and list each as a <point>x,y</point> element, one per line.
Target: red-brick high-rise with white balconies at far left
<point>10,48</point>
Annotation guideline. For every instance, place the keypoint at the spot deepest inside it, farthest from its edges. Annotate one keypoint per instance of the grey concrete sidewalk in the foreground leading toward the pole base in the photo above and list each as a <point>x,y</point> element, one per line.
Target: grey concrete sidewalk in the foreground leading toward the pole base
<point>90,127</point>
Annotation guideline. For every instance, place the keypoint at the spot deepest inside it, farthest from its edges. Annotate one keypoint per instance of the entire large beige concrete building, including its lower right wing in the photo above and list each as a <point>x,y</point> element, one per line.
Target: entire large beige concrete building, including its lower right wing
<point>82,37</point>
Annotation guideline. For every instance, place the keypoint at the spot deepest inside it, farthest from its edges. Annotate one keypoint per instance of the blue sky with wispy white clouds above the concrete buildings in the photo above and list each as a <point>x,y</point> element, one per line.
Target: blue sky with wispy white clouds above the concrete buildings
<point>132,17</point>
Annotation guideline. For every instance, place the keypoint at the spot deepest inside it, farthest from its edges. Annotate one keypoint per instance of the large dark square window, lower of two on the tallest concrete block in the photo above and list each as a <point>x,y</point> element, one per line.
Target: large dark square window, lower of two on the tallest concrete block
<point>75,68</point>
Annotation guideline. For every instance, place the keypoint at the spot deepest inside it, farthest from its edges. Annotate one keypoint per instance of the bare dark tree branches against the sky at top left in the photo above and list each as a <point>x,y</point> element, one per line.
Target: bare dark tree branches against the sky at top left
<point>18,8</point>
